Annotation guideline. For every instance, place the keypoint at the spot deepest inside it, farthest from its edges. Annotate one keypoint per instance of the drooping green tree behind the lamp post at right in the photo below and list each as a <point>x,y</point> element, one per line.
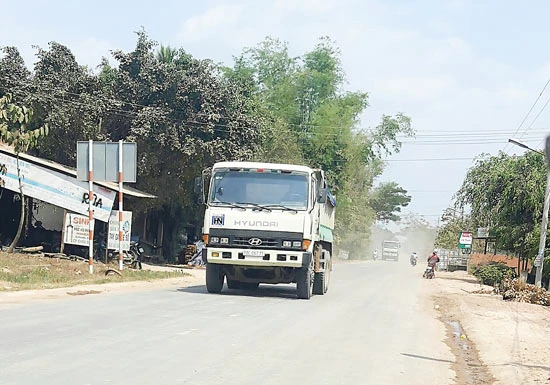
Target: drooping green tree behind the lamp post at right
<point>506,194</point>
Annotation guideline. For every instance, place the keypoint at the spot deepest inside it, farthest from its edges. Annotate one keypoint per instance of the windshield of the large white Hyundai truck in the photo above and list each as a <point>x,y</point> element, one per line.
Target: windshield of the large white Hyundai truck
<point>270,189</point>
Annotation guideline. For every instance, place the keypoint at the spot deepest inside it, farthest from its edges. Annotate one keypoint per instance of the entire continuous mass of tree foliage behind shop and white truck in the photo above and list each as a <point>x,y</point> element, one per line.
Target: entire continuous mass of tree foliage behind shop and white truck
<point>185,114</point>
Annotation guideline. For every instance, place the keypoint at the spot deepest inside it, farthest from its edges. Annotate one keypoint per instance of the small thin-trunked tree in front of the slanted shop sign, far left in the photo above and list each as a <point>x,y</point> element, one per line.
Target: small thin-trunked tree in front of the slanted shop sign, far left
<point>15,130</point>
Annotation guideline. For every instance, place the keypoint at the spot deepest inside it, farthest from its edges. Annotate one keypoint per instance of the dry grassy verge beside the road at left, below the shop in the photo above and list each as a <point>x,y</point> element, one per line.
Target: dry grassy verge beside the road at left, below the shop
<point>23,272</point>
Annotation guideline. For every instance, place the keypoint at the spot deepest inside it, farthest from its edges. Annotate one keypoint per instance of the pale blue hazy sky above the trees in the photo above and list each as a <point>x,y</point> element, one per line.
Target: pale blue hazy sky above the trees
<point>468,73</point>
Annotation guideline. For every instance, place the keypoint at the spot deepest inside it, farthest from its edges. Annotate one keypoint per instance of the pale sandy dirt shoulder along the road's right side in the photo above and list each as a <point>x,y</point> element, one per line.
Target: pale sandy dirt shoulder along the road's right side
<point>494,341</point>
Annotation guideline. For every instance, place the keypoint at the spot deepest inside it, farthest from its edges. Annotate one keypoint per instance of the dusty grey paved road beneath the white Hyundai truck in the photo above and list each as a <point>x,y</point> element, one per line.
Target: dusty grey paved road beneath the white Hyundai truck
<point>374,326</point>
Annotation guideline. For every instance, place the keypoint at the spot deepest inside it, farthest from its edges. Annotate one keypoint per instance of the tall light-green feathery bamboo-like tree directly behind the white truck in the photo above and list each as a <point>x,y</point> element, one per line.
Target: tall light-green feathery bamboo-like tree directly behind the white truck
<point>306,100</point>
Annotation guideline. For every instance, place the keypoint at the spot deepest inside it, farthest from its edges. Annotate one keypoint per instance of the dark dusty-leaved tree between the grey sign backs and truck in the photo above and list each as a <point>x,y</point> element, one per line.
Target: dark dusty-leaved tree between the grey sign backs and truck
<point>184,115</point>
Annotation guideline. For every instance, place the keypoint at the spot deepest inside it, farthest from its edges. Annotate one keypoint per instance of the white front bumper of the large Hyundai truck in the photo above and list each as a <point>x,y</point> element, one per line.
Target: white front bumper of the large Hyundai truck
<point>267,258</point>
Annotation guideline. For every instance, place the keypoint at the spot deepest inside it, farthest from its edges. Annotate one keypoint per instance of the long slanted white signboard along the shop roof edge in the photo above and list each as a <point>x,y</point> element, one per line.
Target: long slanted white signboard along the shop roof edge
<point>57,188</point>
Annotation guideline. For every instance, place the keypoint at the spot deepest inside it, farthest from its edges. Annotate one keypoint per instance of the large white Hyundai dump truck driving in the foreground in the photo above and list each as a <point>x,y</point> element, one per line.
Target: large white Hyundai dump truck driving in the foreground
<point>267,223</point>
